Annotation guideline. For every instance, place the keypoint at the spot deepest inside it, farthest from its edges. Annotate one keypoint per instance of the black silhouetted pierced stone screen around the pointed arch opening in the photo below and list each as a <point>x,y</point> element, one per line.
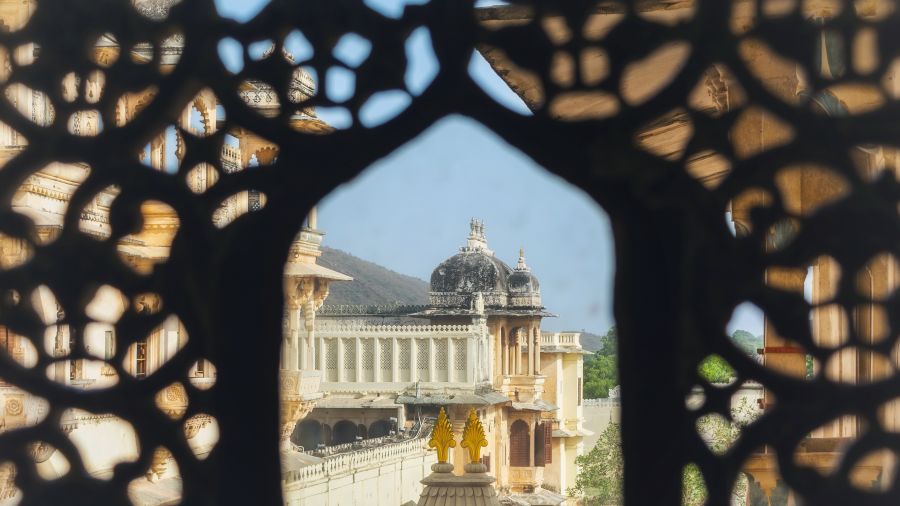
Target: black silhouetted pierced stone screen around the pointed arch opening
<point>679,271</point>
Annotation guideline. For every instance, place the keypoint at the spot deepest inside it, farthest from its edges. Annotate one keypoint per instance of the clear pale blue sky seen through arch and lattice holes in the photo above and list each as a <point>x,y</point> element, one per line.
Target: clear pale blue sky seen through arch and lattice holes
<point>410,211</point>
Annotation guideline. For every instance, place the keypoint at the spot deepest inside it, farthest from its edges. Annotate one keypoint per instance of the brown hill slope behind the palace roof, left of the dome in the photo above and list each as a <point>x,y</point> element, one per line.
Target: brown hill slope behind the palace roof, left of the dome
<point>372,284</point>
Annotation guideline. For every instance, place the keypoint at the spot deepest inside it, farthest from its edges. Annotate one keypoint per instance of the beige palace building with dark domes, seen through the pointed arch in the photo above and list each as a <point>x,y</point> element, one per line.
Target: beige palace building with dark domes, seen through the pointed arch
<point>477,345</point>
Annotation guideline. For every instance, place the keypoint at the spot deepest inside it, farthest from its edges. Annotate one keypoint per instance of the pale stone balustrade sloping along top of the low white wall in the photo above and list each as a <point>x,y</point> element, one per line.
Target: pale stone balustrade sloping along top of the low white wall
<point>345,463</point>
